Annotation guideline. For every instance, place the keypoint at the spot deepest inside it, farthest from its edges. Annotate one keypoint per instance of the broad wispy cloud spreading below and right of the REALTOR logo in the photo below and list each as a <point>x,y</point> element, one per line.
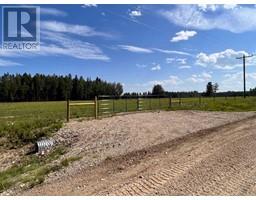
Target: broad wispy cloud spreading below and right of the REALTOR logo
<point>59,43</point>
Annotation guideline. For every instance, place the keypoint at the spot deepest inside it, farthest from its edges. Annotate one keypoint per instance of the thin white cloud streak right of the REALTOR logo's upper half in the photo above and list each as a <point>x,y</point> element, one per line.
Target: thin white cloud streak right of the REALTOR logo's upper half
<point>61,27</point>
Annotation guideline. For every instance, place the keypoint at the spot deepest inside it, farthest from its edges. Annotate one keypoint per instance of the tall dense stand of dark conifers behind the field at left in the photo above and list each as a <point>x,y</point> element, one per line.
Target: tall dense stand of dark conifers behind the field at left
<point>52,87</point>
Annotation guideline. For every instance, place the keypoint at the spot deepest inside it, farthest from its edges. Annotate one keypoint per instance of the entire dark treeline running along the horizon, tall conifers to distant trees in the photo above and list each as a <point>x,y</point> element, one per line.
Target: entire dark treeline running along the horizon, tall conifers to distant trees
<point>54,88</point>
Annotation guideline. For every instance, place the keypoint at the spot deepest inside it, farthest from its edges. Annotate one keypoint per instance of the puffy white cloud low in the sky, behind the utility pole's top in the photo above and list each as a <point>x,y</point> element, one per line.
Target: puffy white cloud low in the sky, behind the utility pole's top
<point>225,60</point>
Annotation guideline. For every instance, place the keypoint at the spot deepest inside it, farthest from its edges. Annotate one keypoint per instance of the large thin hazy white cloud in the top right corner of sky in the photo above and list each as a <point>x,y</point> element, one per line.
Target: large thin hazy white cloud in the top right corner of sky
<point>234,20</point>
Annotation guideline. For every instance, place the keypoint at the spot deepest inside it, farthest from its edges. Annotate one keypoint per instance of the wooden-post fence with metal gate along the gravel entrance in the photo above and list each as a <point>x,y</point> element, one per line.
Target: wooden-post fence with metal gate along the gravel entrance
<point>104,106</point>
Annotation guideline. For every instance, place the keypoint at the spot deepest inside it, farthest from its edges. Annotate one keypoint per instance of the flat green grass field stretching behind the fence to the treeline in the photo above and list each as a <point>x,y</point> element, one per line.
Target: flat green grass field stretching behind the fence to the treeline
<point>21,123</point>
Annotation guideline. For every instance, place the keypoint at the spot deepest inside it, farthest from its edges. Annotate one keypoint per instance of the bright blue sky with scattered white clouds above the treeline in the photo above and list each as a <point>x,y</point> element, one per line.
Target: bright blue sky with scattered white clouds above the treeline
<point>181,47</point>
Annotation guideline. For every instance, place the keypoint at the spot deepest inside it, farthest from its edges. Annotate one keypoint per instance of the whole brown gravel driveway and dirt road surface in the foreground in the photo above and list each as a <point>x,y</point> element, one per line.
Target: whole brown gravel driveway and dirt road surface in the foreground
<point>166,153</point>
